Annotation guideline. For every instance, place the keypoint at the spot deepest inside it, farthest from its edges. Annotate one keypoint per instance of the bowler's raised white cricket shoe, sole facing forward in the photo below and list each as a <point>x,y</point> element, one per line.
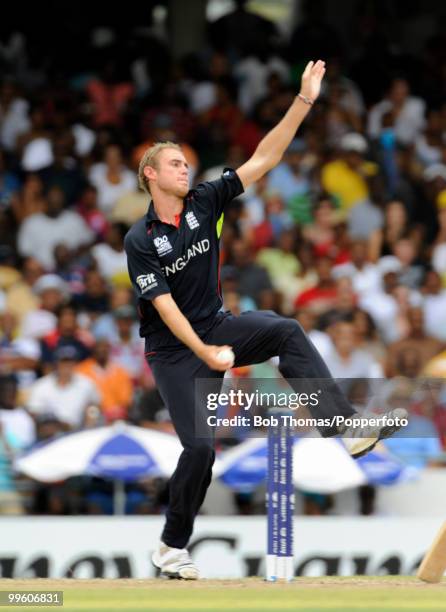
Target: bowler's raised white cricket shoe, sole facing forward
<point>359,440</point>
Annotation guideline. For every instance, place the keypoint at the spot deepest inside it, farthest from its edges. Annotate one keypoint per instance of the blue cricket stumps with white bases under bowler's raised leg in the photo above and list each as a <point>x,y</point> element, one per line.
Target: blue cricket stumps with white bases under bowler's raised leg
<point>280,500</point>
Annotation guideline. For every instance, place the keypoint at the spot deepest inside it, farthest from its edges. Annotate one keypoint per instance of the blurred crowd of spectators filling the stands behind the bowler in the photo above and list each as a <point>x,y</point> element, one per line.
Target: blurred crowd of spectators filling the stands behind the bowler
<point>347,233</point>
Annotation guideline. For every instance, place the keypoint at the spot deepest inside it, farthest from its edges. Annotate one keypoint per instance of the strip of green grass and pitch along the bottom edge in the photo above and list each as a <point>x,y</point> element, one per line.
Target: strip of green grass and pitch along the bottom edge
<point>362,594</point>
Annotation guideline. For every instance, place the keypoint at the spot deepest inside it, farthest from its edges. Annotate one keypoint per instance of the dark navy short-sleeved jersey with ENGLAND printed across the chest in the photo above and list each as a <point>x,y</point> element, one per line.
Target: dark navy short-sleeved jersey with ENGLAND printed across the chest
<point>182,260</point>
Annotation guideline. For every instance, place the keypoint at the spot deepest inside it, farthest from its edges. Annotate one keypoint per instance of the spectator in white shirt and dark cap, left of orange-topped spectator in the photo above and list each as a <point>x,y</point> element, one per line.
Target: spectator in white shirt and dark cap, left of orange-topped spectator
<point>64,394</point>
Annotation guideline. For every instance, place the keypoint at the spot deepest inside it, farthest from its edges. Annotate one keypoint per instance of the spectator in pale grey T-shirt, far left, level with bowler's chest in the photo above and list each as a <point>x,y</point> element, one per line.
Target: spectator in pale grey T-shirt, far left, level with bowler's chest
<point>41,232</point>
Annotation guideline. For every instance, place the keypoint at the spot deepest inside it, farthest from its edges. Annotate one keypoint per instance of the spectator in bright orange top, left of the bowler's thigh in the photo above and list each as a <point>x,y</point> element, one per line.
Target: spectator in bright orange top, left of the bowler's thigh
<point>110,379</point>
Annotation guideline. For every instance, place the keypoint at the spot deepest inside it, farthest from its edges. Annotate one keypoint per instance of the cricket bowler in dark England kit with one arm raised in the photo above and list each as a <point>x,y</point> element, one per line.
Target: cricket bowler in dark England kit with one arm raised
<point>173,262</point>
